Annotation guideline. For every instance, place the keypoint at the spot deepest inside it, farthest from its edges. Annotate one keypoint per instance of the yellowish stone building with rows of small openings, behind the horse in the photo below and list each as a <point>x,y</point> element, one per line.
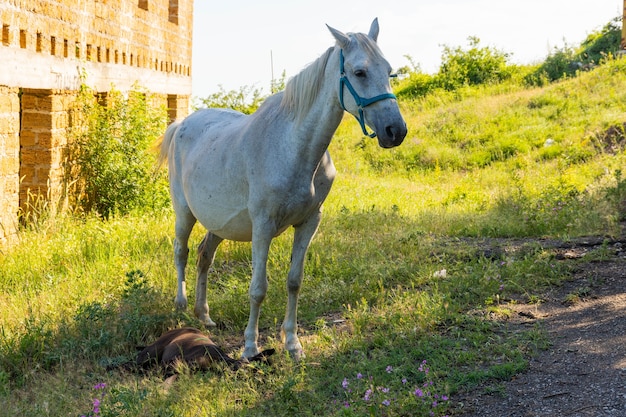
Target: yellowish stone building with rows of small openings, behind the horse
<point>46,47</point>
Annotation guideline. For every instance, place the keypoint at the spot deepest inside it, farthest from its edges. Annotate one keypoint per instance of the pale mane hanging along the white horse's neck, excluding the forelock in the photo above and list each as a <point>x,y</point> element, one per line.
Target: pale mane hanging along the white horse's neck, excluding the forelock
<point>301,90</point>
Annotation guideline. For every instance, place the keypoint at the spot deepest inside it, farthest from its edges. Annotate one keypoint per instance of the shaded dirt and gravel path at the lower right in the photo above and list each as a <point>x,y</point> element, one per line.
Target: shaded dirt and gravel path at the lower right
<point>583,372</point>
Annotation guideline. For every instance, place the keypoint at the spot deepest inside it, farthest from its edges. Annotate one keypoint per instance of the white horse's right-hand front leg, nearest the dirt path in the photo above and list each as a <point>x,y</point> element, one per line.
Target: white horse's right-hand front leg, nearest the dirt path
<point>302,239</point>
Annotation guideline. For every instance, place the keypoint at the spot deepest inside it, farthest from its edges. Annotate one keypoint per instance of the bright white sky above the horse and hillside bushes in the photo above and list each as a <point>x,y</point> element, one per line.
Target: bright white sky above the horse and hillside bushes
<point>242,43</point>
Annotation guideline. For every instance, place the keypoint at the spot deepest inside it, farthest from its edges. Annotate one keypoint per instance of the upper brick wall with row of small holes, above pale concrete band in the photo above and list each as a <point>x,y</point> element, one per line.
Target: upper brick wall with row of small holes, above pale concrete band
<point>156,36</point>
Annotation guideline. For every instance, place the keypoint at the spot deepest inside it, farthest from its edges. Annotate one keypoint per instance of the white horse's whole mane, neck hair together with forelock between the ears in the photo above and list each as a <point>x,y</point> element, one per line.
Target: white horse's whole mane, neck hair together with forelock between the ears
<point>301,90</point>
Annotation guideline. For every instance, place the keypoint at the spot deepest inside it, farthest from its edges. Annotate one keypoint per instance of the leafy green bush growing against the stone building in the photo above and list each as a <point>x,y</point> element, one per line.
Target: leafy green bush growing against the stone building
<point>110,163</point>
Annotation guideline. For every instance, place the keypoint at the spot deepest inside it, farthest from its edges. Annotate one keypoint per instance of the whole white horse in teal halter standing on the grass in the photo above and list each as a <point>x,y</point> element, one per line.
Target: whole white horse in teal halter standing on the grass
<point>250,177</point>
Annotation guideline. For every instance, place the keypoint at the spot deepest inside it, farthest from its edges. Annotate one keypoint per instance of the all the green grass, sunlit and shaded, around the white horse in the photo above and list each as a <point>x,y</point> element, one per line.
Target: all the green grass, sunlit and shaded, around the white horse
<point>78,294</point>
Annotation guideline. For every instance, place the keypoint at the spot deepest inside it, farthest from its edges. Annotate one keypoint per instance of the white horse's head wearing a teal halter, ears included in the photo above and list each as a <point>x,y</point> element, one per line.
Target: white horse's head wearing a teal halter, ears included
<point>364,89</point>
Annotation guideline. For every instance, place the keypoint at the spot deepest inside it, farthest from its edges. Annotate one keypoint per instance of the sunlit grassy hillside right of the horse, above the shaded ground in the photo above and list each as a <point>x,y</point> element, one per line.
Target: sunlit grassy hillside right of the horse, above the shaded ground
<point>494,150</point>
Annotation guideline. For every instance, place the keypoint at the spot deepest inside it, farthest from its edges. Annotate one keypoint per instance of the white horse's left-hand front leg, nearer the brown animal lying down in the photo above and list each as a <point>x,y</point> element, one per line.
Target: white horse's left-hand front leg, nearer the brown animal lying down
<point>261,239</point>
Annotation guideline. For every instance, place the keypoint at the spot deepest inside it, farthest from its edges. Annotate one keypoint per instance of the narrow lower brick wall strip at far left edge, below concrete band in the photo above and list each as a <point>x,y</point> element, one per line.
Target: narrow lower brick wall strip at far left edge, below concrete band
<point>9,162</point>
